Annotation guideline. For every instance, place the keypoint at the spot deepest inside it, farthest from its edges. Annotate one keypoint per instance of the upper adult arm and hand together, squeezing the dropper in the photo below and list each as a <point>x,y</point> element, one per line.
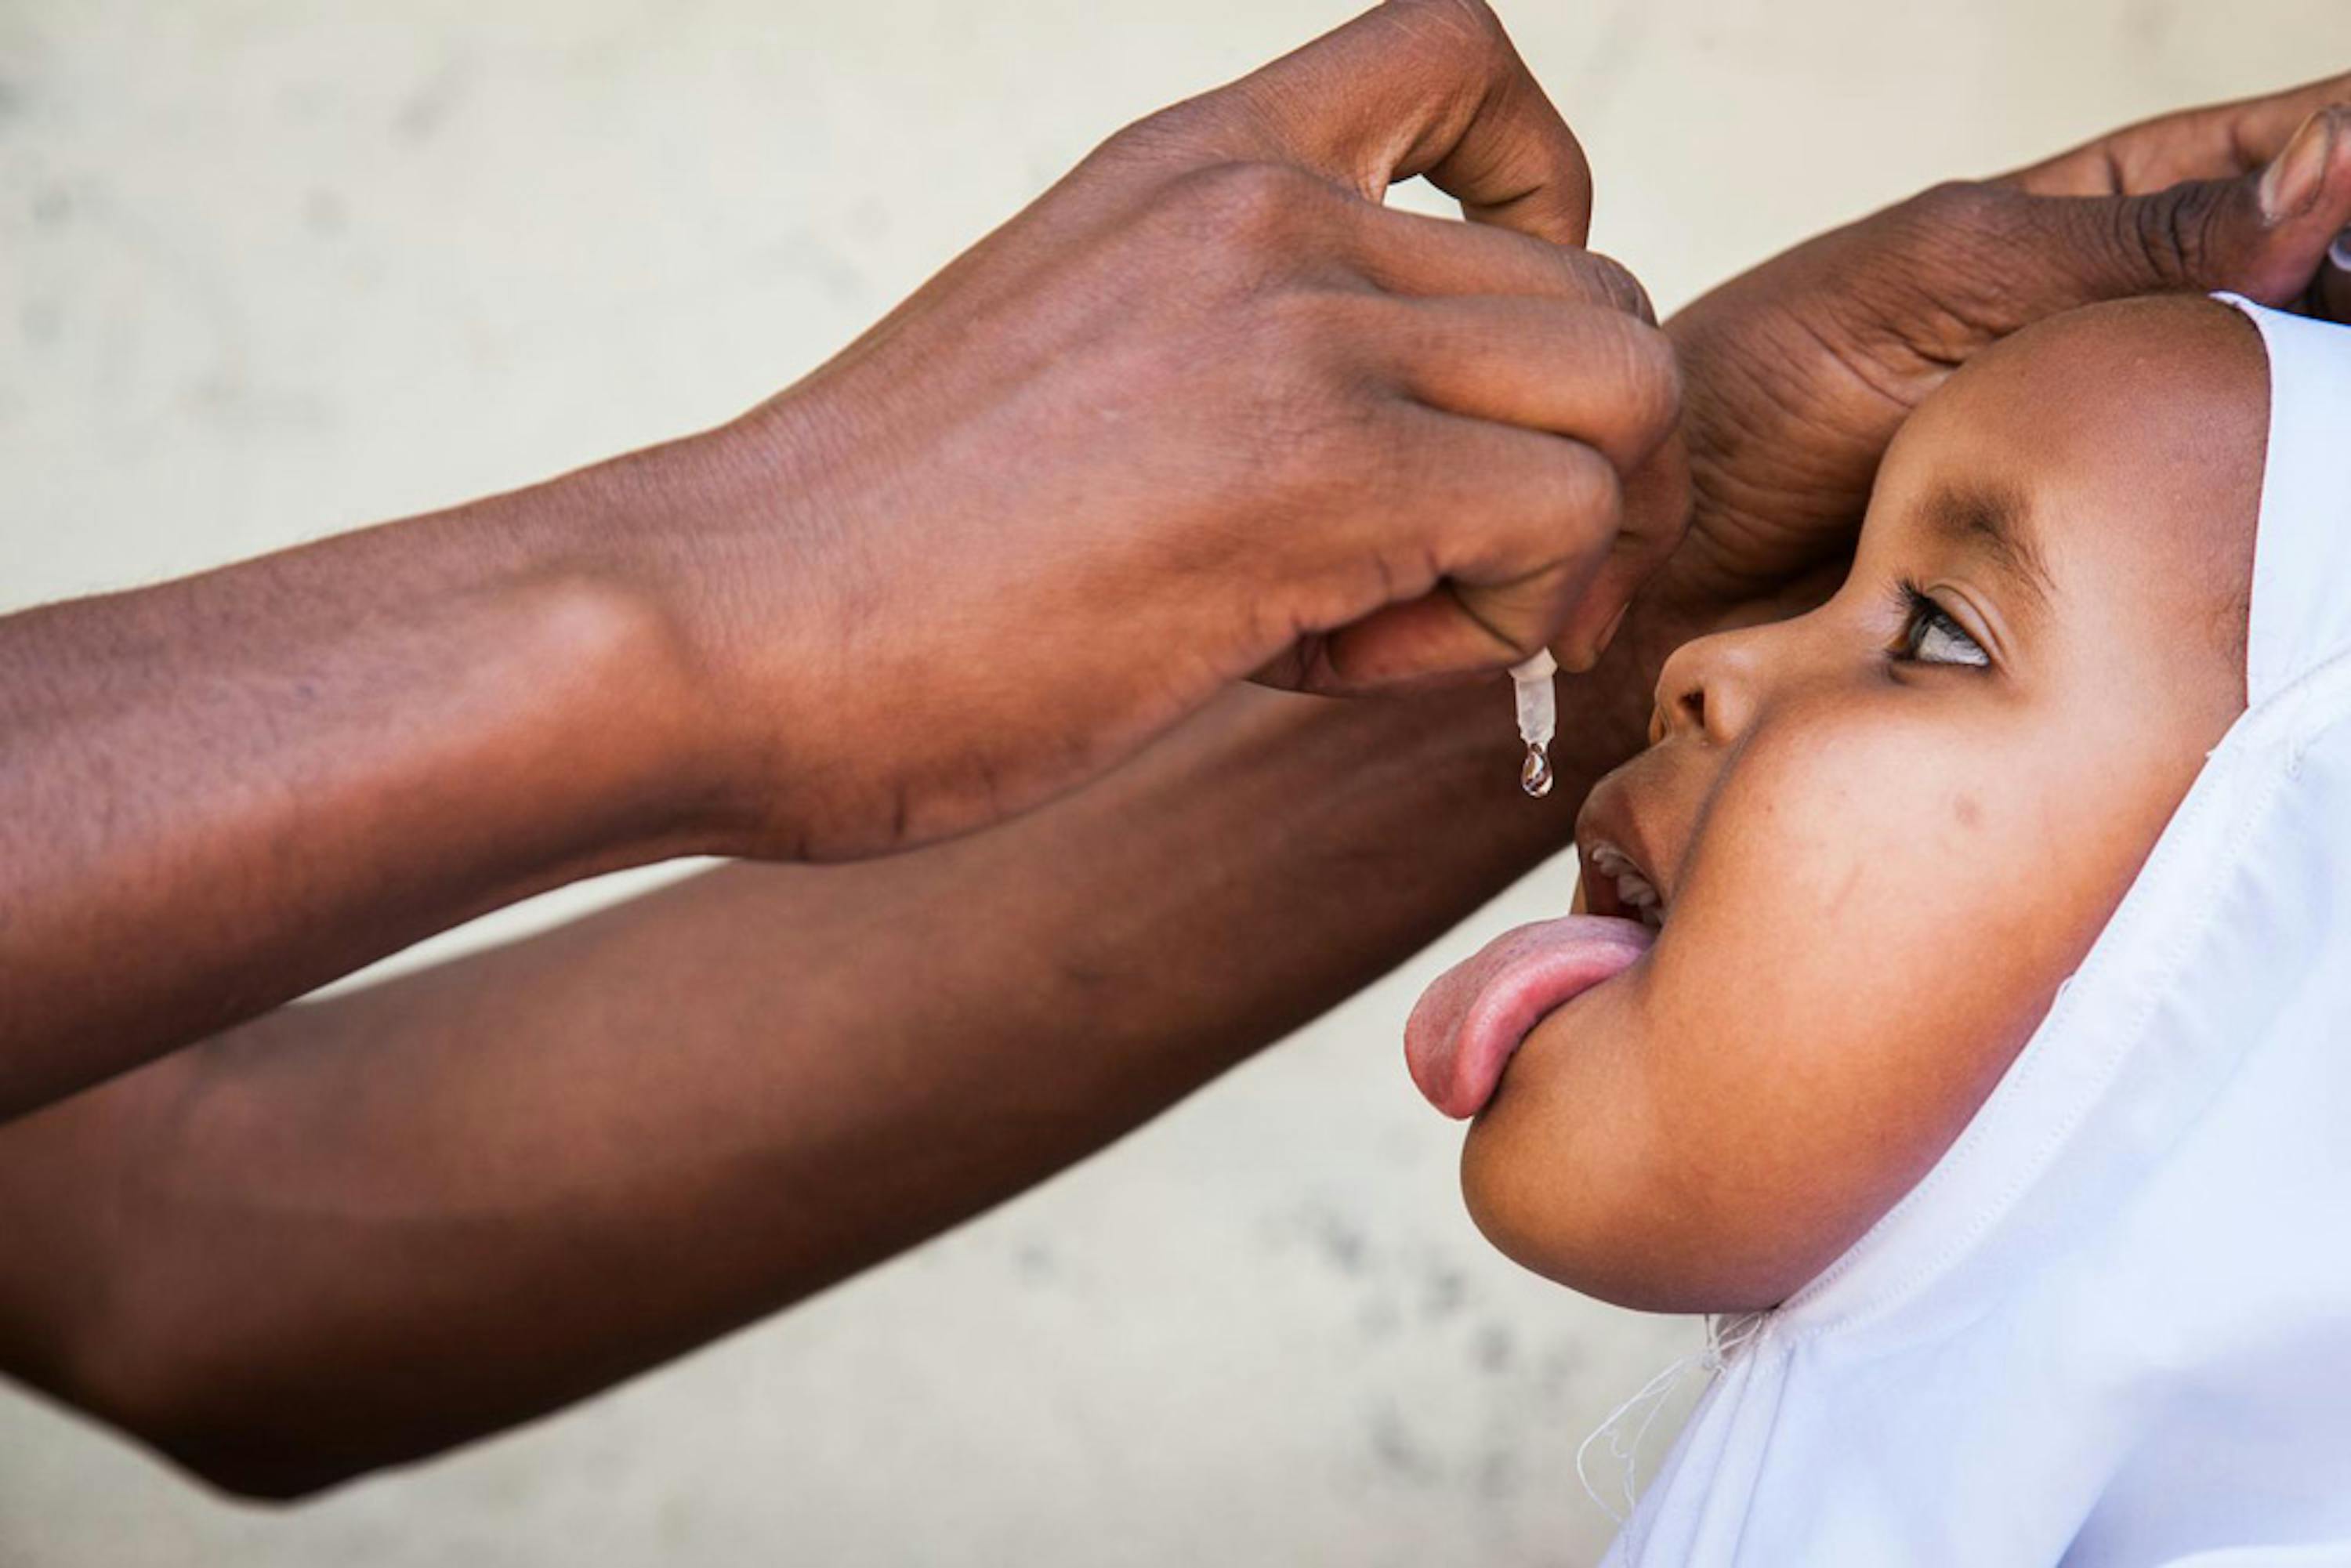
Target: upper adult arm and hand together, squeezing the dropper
<point>1205,410</point>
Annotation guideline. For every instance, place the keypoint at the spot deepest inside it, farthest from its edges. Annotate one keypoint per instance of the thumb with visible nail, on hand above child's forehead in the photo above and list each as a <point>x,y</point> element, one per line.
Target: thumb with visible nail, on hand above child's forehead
<point>2263,234</point>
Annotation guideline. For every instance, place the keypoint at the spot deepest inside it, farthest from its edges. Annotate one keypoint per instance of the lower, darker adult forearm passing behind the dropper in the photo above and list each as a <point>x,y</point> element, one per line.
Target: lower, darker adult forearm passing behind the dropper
<point>370,1228</point>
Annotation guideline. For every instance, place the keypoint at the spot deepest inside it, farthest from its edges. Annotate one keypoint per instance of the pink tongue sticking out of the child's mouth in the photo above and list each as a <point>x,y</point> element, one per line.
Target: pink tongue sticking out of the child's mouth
<point>1475,1014</point>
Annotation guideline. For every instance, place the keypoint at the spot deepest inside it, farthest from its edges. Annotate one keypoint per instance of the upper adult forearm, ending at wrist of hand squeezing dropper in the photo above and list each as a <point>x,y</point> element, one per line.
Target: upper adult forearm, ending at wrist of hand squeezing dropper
<point>225,791</point>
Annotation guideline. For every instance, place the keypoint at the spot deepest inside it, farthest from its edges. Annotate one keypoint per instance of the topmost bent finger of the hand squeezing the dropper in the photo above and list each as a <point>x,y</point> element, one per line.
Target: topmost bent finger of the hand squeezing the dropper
<point>1419,88</point>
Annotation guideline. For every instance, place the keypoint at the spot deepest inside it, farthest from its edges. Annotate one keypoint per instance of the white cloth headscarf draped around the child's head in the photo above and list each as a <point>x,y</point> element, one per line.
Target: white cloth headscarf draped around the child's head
<point>2112,1327</point>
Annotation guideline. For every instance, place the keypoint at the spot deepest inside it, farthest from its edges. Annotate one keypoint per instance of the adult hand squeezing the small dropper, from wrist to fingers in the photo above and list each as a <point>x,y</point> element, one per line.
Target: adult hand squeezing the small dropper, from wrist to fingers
<point>1203,413</point>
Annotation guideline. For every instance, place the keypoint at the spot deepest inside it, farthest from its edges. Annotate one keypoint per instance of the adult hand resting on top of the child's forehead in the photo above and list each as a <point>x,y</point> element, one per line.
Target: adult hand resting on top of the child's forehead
<point>1802,370</point>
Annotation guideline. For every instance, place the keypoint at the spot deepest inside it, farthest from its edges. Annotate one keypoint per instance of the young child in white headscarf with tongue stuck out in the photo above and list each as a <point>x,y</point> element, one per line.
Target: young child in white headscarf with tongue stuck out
<point>1967,991</point>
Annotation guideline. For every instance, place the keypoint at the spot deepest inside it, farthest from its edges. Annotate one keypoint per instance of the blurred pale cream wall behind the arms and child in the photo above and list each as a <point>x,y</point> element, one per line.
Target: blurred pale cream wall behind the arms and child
<point>281,269</point>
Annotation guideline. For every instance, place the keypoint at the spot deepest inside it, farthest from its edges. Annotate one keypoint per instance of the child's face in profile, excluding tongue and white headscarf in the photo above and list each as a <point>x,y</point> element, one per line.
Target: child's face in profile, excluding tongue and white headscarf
<point>1889,829</point>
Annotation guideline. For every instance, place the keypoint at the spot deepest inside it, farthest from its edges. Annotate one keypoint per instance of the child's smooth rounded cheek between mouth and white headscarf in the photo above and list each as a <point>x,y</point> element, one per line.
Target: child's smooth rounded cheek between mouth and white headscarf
<point>1835,991</point>
